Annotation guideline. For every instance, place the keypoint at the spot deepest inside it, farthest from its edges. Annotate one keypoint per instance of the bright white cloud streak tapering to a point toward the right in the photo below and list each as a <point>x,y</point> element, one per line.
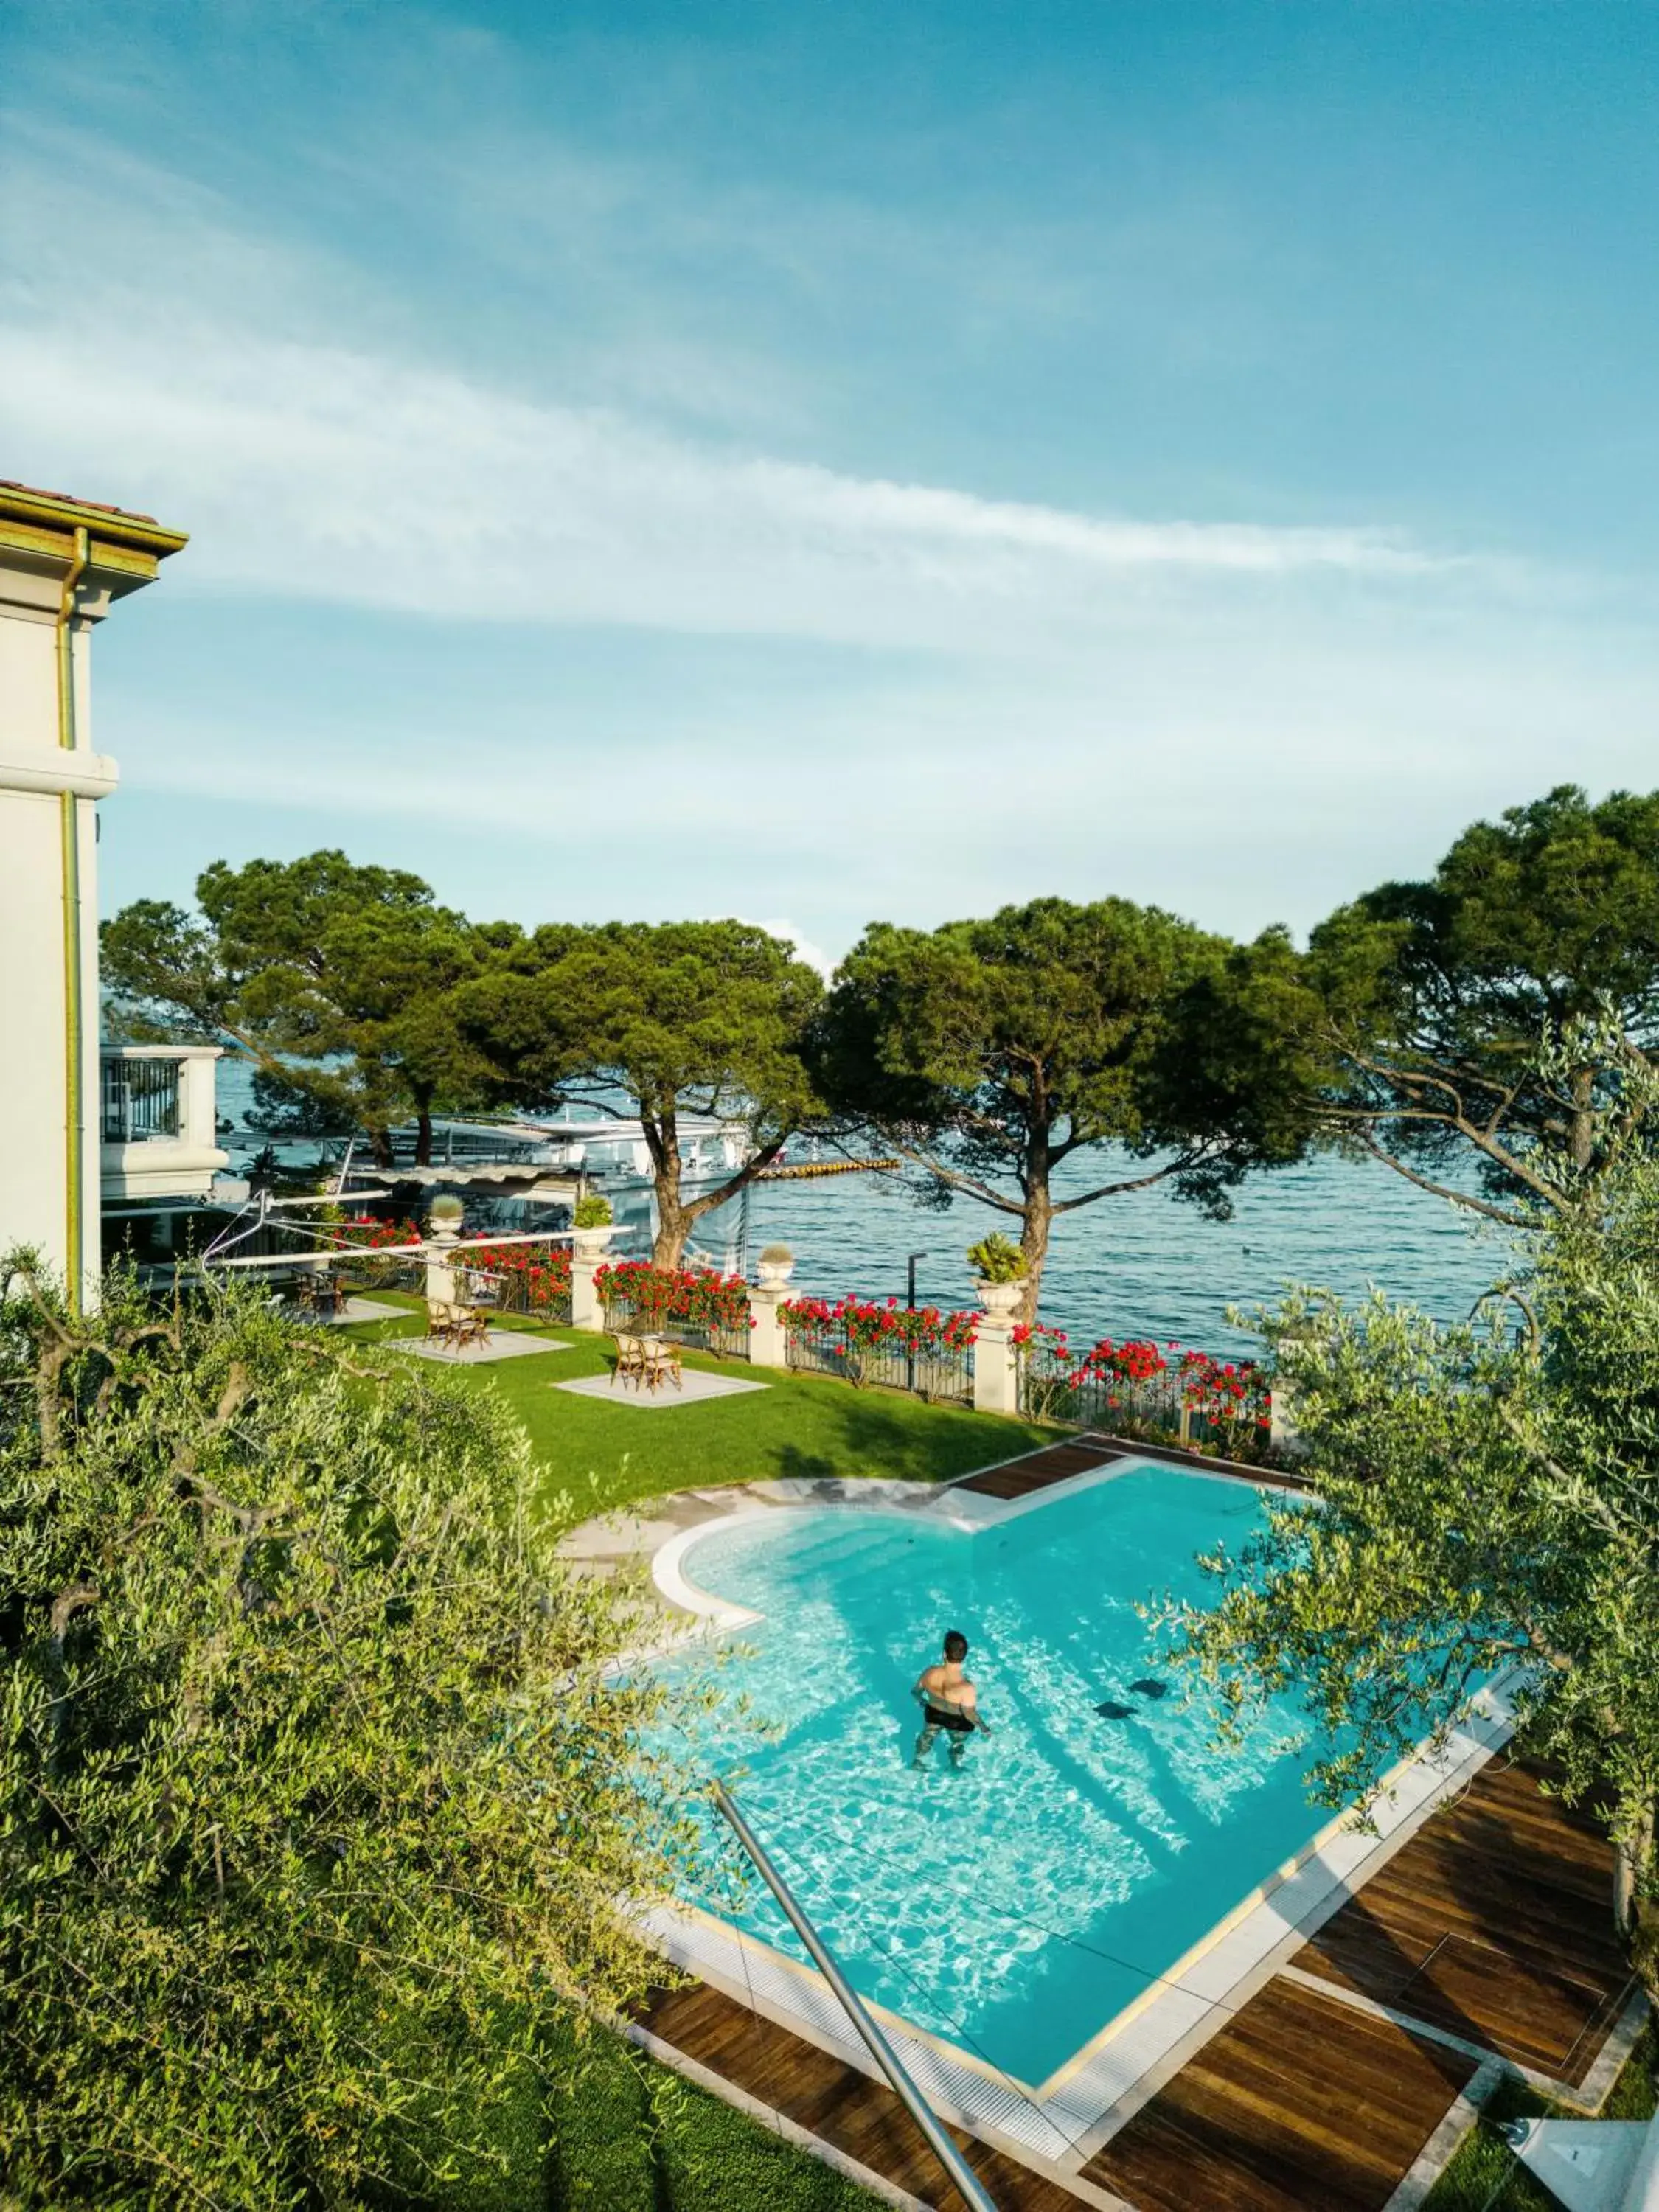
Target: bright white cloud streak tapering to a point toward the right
<point>225,393</point>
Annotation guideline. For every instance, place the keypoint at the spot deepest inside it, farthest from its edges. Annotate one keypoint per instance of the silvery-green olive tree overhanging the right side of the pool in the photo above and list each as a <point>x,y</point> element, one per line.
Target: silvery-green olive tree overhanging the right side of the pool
<point>1488,1499</point>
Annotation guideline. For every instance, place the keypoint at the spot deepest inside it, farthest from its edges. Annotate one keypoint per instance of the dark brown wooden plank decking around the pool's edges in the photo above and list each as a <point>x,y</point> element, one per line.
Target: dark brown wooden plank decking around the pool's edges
<point>1481,1945</point>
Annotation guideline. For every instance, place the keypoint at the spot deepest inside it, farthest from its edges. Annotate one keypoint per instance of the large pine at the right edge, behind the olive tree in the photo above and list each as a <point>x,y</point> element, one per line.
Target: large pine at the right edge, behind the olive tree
<point>1432,999</point>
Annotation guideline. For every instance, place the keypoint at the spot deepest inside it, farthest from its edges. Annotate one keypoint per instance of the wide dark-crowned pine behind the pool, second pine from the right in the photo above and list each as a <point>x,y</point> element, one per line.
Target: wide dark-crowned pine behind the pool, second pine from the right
<point>992,1052</point>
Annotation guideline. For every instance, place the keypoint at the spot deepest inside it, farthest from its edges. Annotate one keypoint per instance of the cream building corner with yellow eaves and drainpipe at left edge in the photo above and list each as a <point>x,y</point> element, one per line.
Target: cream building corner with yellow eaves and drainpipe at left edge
<point>63,567</point>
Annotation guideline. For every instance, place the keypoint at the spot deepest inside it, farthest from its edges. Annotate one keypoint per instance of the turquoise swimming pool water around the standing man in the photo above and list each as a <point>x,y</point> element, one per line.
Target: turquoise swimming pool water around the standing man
<point>1019,1906</point>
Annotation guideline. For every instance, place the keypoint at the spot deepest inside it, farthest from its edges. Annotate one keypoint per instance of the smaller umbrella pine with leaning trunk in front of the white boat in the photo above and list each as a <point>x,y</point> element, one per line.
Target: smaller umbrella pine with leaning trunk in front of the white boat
<point>678,1016</point>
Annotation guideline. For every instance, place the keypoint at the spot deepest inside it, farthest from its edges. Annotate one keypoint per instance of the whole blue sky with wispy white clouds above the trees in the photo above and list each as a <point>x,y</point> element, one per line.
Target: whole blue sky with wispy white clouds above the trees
<point>848,461</point>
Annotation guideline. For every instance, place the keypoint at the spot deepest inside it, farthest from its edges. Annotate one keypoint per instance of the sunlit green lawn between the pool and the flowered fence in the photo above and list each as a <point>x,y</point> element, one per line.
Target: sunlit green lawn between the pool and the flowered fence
<point>800,1426</point>
